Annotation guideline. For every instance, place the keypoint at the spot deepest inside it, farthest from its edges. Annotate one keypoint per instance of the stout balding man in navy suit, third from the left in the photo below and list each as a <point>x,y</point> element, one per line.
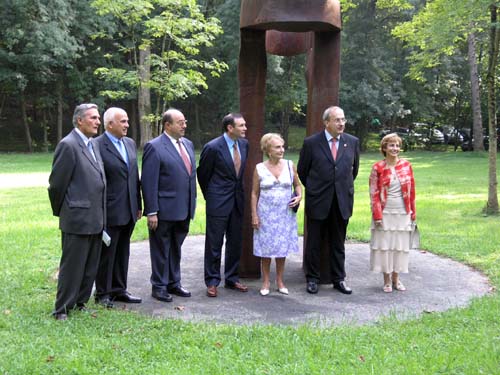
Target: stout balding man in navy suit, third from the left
<point>169,191</point>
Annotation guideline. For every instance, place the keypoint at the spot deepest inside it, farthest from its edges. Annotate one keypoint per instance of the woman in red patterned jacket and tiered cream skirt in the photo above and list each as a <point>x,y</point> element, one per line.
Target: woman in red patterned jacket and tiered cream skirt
<point>392,196</point>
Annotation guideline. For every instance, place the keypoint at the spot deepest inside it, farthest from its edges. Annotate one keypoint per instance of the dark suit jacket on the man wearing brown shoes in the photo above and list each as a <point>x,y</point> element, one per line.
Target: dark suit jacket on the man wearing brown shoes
<point>220,185</point>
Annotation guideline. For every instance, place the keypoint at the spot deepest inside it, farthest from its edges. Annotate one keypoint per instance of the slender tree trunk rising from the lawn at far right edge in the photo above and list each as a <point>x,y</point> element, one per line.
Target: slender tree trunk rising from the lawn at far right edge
<point>492,204</point>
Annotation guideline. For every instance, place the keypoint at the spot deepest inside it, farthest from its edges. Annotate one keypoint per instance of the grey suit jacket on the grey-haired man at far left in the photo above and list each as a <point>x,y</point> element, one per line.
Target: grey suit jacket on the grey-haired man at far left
<point>77,187</point>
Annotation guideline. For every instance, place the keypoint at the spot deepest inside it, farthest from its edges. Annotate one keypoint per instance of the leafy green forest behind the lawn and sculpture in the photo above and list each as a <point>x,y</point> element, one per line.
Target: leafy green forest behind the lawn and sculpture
<point>403,61</point>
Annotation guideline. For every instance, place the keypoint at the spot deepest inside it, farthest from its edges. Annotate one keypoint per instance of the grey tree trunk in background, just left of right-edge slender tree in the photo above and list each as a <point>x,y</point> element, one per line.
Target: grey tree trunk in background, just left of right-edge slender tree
<point>476,98</point>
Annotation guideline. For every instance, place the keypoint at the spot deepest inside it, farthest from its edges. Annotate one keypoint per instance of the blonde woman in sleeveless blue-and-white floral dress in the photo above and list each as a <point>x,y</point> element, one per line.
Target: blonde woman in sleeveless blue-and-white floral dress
<point>273,219</point>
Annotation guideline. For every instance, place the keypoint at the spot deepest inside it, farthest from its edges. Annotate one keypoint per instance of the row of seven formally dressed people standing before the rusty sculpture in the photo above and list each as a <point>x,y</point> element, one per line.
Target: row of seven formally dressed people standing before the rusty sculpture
<point>95,190</point>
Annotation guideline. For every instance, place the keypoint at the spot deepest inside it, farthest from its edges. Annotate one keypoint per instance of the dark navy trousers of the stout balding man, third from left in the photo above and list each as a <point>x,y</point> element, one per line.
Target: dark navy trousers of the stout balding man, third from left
<point>165,249</point>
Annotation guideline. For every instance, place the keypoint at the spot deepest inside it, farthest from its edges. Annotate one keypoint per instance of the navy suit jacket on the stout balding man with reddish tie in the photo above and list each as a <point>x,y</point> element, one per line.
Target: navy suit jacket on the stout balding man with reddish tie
<point>167,187</point>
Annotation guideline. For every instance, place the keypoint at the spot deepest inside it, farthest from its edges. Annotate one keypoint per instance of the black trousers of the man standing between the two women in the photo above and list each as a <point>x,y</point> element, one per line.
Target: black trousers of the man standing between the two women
<point>333,229</point>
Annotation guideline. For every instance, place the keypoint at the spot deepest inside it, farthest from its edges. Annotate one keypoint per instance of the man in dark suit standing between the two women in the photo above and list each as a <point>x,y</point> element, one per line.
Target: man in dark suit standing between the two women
<point>327,167</point>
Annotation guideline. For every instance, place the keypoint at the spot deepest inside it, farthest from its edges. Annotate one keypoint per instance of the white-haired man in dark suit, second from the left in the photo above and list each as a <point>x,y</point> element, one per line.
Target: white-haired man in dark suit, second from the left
<point>124,207</point>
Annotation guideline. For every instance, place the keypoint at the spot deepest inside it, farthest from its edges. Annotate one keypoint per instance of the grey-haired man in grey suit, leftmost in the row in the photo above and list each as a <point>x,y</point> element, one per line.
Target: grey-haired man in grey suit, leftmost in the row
<point>77,186</point>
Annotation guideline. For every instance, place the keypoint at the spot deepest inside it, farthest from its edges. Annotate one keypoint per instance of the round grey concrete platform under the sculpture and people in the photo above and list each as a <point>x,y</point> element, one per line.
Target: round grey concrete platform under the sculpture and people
<point>434,284</point>
